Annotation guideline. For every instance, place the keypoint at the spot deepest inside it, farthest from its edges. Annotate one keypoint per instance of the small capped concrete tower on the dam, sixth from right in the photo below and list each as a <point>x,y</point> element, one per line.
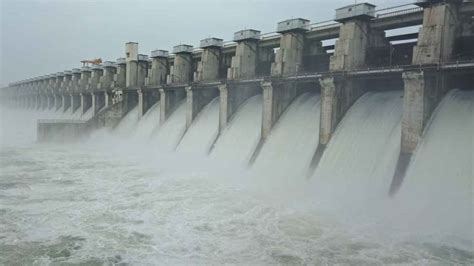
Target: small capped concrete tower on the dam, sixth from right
<point>182,69</point>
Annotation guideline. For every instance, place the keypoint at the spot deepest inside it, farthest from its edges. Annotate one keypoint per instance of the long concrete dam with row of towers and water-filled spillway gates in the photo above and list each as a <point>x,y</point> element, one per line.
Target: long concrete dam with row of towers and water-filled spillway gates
<point>259,81</point>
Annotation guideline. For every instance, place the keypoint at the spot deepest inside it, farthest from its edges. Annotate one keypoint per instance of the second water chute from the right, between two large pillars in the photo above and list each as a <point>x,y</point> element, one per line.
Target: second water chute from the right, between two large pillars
<point>361,157</point>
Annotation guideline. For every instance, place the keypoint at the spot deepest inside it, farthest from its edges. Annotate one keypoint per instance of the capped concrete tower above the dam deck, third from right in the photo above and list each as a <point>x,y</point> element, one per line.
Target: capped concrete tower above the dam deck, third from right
<point>289,58</point>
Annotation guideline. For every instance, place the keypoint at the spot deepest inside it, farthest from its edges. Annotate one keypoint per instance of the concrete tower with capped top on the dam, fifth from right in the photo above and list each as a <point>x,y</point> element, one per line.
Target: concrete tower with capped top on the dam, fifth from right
<point>208,67</point>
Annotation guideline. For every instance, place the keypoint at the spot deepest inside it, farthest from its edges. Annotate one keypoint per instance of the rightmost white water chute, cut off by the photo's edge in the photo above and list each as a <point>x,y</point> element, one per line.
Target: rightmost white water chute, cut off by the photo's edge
<point>439,183</point>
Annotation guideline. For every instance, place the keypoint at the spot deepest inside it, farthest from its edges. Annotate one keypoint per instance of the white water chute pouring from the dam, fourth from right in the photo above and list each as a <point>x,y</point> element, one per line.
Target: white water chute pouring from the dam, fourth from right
<point>239,140</point>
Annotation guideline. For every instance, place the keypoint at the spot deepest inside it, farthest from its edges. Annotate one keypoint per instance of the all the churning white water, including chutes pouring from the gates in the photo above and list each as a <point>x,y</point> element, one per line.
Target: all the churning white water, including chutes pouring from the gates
<point>104,201</point>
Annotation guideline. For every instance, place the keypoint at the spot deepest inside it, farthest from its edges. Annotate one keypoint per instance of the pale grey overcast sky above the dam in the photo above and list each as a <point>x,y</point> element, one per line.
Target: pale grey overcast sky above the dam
<point>40,37</point>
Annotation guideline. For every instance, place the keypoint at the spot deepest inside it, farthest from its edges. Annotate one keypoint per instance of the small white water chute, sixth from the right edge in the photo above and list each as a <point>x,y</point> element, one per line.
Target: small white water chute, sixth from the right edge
<point>170,133</point>
